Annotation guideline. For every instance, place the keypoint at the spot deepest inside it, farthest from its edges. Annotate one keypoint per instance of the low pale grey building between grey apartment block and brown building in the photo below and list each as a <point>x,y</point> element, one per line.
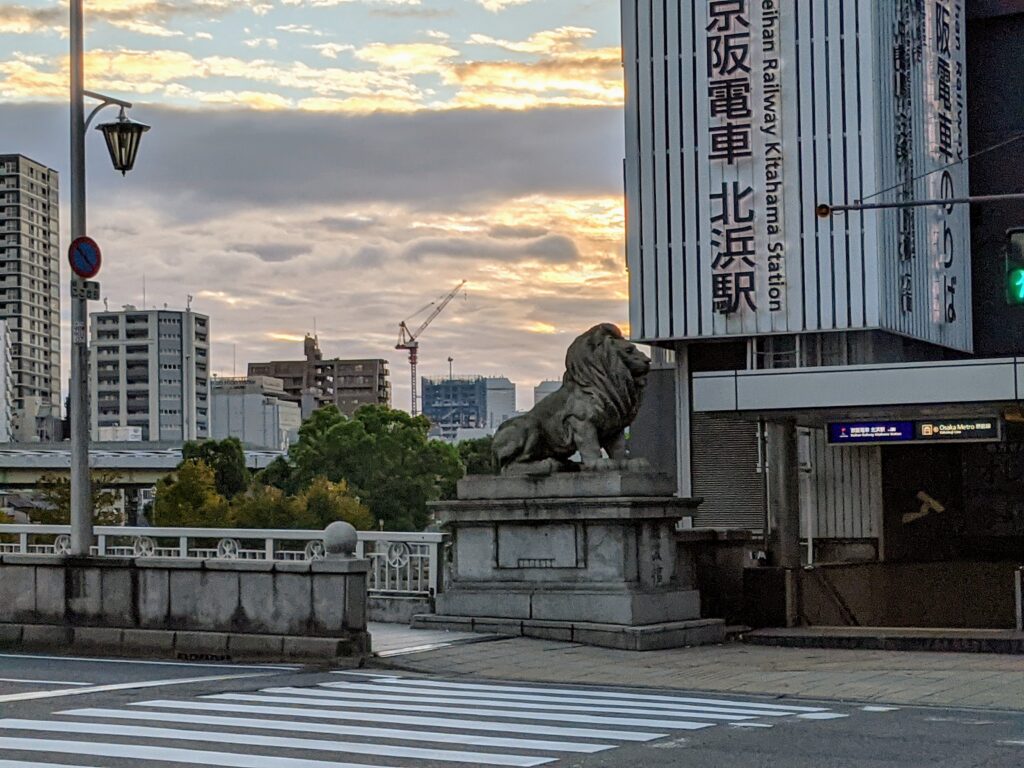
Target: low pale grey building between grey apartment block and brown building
<point>257,410</point>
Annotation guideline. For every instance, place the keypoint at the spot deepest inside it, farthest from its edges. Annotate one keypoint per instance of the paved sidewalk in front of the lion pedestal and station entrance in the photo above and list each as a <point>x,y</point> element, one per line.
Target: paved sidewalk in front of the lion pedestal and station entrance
<point>968,680</point>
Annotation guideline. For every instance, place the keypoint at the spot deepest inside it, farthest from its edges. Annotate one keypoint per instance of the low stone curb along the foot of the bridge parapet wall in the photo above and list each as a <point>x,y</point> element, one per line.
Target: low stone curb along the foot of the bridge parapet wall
<point>190,647</point>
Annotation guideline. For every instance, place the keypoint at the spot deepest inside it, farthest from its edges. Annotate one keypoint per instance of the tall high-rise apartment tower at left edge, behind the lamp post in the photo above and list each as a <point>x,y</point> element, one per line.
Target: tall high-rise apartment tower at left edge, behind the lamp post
<point>30,288</point>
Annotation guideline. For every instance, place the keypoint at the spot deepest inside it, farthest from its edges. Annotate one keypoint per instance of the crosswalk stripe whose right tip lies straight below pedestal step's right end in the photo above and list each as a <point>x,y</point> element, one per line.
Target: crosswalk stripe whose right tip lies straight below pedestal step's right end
<point>360,705</point>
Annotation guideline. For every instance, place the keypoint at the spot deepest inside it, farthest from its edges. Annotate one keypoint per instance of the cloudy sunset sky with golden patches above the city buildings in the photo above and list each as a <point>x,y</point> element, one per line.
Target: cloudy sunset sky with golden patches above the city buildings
<point>334,165</point>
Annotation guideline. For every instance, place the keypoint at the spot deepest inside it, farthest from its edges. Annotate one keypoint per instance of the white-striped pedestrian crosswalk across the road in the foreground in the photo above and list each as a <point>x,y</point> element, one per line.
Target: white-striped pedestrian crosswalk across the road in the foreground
<point>359,720</point>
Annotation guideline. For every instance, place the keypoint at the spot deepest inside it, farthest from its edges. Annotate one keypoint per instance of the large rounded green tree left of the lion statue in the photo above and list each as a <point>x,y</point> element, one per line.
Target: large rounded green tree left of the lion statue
<point>386,457</point>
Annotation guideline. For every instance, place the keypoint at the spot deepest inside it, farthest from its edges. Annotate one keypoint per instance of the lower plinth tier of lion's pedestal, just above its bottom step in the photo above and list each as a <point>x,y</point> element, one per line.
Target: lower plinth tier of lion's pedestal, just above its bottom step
<point>583,605</point>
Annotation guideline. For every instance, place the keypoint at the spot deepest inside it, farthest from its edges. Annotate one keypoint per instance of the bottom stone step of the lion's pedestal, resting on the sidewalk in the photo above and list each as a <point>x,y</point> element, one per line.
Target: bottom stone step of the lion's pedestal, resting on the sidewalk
<point>646,637</point>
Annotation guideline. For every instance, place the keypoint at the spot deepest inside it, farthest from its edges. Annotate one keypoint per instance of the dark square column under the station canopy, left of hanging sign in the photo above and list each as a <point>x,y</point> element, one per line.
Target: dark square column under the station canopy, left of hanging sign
<point>784,509</point>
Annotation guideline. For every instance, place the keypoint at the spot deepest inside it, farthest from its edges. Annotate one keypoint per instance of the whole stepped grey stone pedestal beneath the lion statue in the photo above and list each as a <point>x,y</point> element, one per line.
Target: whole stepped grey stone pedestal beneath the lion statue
<point>588,557</point>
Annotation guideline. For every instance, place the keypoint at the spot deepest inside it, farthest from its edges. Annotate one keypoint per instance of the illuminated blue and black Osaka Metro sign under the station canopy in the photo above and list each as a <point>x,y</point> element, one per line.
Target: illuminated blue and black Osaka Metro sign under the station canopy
<point>958,430</point>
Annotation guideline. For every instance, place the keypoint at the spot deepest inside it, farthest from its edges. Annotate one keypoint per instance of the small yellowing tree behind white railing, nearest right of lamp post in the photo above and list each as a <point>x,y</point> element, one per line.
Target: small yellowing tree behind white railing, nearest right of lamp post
<point>190,499</point>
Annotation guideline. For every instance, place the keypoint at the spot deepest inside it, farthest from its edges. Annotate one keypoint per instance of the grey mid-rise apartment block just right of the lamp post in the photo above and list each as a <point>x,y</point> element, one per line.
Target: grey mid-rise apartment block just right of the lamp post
<point>151,369</point>
